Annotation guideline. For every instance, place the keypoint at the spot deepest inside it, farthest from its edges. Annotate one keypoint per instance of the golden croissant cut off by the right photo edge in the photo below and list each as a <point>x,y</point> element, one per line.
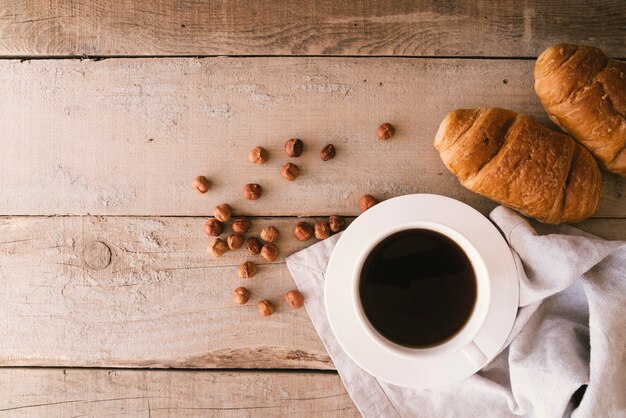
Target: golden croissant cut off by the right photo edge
<point>584,92</point>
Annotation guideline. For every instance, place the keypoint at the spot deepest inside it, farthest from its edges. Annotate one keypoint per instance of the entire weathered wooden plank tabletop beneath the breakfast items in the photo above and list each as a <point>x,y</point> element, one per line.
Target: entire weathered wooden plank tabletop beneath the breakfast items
<point>109,304</point>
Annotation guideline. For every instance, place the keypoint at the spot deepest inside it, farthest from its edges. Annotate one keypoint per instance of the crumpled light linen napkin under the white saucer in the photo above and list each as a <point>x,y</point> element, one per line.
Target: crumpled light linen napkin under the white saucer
<point>565,356</point>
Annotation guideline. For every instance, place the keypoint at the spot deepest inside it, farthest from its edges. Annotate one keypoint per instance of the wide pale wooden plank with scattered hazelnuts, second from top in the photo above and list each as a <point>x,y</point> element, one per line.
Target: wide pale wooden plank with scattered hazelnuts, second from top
<point>126,137</point>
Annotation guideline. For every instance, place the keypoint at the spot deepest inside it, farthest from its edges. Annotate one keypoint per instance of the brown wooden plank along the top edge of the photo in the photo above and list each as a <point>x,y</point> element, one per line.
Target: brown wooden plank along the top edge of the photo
<point>282,27</point>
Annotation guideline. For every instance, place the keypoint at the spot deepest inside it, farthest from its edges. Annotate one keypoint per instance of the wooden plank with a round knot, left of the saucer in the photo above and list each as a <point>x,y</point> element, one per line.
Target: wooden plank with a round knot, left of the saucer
<point>159,302</point>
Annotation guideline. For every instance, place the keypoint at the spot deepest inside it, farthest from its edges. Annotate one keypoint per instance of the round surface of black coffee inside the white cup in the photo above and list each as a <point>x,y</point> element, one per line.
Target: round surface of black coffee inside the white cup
<point>417,288</point>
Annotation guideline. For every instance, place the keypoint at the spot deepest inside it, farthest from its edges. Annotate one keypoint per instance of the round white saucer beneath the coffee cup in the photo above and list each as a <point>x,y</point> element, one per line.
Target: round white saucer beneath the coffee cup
<point>368,353</point>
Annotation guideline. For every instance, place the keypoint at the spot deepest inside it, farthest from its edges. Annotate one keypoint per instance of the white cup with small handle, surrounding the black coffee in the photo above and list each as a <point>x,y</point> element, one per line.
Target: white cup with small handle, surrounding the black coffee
<point>463,340</point>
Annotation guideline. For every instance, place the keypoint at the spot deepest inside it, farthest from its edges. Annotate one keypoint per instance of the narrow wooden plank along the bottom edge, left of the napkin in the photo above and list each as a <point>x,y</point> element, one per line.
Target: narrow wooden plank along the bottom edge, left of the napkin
<point>157,393</point>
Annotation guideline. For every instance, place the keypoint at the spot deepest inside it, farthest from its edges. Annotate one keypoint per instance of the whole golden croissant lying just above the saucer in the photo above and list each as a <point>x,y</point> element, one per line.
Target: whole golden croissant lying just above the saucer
<point>514,160</point>
